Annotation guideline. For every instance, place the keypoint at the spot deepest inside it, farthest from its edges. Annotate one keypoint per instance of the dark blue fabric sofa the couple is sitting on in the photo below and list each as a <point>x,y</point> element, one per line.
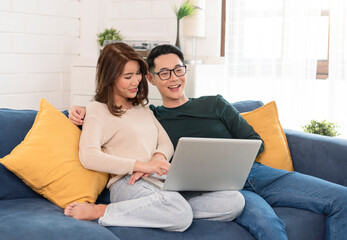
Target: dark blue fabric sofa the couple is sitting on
<point>25,214</point>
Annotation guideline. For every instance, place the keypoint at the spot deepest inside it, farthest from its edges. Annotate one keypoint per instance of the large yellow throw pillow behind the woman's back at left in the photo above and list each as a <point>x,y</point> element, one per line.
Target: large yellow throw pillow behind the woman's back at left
<point>47,160</point>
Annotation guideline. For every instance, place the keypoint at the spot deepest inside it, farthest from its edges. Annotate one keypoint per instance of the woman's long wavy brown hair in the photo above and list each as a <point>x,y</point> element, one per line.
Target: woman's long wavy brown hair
<point>110,67</point>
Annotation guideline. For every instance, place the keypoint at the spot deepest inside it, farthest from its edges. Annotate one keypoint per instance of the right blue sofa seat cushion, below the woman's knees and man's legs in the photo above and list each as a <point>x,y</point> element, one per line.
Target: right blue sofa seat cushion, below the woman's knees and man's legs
<point>300,225</point>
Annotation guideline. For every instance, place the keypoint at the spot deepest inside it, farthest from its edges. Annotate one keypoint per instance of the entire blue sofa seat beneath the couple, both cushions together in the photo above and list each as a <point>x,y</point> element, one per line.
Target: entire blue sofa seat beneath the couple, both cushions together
<point>39,219</point>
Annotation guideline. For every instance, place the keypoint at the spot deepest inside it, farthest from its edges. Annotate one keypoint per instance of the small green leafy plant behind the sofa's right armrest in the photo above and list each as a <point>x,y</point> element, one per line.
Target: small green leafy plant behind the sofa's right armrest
<point>323,128</point>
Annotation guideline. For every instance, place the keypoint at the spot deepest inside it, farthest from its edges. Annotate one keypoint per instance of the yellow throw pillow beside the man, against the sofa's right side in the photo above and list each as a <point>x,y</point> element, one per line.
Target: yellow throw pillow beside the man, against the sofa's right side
<point>265,122</point>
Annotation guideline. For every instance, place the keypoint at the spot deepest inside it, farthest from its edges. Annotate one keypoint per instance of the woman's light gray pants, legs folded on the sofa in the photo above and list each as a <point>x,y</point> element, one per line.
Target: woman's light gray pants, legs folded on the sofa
<point>143,205</point>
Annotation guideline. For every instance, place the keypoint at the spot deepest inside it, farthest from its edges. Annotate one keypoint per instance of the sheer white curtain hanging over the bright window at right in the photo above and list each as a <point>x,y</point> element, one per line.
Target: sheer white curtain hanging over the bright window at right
<point>272,52</point>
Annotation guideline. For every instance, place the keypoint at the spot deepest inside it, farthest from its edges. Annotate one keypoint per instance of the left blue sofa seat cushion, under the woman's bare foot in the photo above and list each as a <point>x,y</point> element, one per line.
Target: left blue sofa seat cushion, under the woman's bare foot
<point>41,220</point>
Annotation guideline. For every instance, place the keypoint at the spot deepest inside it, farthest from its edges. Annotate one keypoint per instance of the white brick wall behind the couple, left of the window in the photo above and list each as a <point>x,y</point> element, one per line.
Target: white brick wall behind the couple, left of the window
<point>41,40</point>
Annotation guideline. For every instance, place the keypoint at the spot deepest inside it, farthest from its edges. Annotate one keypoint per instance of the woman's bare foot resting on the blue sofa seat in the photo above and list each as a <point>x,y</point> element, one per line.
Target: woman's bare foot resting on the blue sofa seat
<point>85,211</point>
